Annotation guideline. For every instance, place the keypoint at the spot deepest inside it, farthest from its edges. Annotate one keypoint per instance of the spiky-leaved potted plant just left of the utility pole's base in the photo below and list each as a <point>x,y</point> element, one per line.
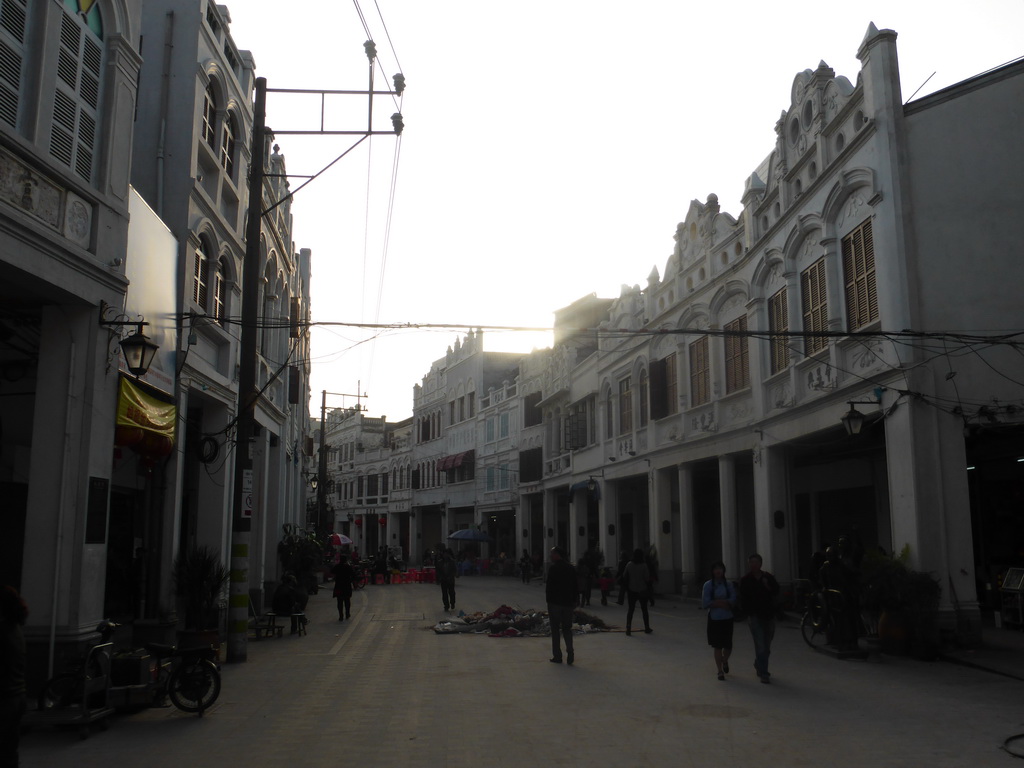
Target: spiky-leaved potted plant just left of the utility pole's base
<point>199,579</point>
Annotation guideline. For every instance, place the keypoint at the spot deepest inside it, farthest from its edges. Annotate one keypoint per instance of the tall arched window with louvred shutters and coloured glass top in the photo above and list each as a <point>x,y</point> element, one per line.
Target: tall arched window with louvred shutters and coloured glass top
<point>76,99</point>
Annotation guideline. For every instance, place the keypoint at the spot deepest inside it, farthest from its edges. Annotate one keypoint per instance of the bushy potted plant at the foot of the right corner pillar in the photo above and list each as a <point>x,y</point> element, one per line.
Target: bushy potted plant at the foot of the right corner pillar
<point>905,602</point>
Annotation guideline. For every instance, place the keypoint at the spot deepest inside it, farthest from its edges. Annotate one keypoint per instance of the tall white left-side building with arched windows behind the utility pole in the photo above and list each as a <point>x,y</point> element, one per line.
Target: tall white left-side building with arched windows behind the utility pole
<point>191,163</point>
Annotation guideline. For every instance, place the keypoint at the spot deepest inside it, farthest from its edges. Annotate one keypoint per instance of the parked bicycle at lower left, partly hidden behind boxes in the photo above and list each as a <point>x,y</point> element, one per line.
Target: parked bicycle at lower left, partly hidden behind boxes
<point>188,676</point>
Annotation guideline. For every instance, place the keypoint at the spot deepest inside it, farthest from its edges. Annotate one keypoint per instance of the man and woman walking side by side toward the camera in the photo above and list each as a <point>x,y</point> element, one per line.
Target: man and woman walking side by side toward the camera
<point>756,599</point>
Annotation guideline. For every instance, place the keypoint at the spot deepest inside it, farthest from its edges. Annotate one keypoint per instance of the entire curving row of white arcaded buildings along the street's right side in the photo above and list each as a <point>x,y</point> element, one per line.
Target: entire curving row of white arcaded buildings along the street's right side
<point>701,414</point>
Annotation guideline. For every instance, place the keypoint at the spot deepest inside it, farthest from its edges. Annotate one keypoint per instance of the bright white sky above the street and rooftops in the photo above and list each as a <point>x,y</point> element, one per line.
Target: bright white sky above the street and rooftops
<point>549,149</point>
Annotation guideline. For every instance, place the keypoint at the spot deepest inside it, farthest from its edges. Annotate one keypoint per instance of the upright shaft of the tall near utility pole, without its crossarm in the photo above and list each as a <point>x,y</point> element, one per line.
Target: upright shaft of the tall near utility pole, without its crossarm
<point>238,619</point>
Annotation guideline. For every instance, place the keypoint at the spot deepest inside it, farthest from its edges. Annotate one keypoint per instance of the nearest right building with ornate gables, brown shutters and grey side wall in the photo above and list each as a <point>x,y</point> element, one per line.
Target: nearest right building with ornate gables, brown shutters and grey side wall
<point>721,385</point>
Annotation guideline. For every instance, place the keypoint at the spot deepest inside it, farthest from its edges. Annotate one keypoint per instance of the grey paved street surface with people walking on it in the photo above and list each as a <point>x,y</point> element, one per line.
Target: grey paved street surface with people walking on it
<point>385,691</point>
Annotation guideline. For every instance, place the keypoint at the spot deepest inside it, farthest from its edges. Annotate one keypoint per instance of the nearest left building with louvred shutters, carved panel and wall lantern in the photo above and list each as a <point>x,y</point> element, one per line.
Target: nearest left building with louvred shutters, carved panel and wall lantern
<point>68,91</point>
